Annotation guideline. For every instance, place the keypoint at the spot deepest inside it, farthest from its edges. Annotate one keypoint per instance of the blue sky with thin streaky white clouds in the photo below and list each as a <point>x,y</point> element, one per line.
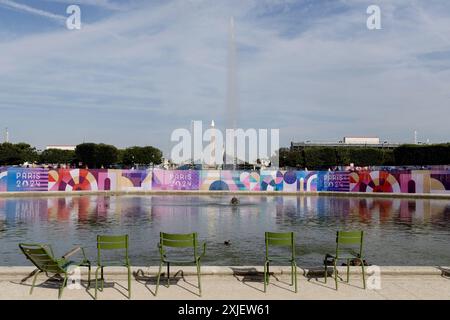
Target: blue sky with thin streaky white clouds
<point>139,69</point>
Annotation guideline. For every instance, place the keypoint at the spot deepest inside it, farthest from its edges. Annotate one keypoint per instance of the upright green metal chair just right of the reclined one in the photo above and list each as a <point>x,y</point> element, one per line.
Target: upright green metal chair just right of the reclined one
<point>108,243</point>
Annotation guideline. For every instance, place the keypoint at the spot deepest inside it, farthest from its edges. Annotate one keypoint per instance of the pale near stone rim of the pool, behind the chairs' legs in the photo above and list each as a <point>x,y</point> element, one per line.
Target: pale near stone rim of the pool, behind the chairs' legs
<point>16,272</point>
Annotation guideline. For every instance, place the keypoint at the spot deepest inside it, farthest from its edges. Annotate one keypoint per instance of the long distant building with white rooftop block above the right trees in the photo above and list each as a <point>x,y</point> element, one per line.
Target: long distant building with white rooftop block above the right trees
<point>372,142</point>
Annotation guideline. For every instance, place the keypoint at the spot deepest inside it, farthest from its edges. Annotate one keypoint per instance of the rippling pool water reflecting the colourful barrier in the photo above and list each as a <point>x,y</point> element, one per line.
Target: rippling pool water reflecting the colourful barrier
<point>398,231</point>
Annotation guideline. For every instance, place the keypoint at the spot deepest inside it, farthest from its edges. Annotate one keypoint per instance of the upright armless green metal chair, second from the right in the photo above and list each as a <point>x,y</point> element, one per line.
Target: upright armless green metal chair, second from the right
<point>285,239</point>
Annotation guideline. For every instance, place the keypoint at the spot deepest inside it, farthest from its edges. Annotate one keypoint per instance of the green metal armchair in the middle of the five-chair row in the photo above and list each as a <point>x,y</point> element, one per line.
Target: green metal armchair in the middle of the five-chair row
<point>188,240</point>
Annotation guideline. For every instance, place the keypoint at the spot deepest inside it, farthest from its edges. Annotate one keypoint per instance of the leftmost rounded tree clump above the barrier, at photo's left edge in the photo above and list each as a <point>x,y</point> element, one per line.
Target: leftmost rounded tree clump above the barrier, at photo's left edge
<point>14,154</point>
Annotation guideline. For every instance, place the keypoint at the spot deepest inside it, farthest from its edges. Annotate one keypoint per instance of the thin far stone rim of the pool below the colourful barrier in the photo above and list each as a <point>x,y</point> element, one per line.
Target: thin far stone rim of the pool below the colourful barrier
<point>221,193</point>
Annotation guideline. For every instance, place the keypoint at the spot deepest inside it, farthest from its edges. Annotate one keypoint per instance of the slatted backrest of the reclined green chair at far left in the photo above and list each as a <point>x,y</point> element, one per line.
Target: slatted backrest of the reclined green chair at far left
<point>41,255</point>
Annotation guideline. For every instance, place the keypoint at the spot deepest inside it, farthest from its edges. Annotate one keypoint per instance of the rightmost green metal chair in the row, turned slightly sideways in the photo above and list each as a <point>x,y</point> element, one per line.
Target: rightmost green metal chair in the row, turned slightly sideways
<point>349,246</point>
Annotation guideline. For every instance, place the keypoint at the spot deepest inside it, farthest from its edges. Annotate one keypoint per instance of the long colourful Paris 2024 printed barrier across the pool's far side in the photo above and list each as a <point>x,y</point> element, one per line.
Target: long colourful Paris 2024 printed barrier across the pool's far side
<point>16,179</point>
